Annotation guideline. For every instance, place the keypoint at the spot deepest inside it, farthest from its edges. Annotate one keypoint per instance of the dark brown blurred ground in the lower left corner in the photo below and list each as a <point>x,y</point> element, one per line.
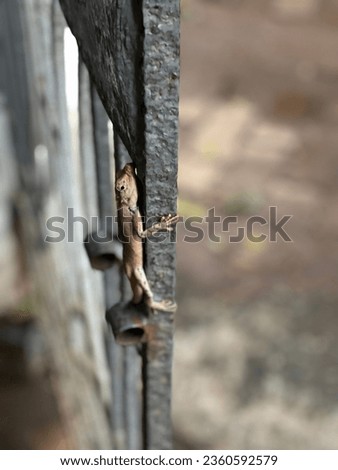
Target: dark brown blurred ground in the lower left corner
<point>29,415</point>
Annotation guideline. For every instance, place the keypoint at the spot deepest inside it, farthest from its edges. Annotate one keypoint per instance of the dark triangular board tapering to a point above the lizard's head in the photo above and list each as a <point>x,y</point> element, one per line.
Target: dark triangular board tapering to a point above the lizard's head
<point>109,35</point>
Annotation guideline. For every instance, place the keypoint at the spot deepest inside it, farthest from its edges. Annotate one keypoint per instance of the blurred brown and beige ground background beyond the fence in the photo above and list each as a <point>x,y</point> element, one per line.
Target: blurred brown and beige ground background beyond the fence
<point>256,356</point>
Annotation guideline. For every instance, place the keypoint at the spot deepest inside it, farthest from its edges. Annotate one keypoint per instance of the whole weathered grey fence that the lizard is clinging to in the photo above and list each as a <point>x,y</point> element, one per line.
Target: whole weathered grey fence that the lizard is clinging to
<point>111,396</point>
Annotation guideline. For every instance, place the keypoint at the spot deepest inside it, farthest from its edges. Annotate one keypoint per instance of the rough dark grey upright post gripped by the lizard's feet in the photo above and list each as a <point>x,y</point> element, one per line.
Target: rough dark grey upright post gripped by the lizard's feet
<point>160,80</point>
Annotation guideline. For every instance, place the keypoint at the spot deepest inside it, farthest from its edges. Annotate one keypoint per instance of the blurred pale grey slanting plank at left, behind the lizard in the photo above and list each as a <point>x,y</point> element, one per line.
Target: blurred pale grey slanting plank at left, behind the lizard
<point>69,295</point>
